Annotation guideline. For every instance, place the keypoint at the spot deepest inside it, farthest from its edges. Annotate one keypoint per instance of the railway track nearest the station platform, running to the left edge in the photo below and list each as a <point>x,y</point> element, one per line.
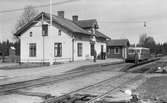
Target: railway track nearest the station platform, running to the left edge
<point>13,87</point>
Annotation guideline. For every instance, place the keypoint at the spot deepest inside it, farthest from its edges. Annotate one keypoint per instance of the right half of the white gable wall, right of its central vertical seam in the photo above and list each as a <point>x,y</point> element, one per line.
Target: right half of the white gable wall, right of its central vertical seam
<point>66,41</point>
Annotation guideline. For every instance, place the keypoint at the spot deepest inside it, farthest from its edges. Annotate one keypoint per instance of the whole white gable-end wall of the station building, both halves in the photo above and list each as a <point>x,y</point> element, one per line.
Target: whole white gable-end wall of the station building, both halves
<point>49,41</point>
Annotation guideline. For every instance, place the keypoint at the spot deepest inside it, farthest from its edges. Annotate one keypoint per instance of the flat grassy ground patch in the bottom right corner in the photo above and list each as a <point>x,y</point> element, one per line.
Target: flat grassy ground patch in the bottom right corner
<point>155,87</point>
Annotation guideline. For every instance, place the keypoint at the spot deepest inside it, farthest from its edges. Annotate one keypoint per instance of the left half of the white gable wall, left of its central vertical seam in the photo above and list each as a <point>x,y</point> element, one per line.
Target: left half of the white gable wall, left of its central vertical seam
<point>26,39</point>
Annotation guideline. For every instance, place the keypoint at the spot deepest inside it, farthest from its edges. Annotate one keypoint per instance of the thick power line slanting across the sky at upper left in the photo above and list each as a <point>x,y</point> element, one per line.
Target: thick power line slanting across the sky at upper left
<point>38,6</point>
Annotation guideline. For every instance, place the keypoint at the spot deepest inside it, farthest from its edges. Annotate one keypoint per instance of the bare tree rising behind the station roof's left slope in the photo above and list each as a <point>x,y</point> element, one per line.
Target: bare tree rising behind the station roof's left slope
<point>28,14</point>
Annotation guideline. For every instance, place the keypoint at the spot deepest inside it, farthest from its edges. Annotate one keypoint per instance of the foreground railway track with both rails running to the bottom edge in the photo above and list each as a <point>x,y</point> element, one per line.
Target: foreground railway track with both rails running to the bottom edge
<point>119,86</point>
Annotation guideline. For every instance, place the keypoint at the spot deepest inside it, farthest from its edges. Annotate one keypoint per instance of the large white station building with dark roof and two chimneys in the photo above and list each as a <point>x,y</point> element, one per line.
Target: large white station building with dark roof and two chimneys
<point>64,40</point>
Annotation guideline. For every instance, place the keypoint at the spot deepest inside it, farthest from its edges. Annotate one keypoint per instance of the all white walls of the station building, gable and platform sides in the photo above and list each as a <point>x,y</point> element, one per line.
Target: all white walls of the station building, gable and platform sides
<point>49,41</point>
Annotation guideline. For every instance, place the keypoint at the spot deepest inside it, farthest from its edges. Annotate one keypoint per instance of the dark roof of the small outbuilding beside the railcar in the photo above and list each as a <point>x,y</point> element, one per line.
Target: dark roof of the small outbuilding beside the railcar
<point>118,42</point>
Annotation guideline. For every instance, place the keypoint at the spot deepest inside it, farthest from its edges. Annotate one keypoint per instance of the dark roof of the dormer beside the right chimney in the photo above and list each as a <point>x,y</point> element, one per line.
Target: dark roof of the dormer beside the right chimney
<point>87,23</point>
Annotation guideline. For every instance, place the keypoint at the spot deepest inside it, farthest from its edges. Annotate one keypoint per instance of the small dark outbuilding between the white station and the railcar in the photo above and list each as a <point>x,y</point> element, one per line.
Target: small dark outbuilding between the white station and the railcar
<point>117,48</point>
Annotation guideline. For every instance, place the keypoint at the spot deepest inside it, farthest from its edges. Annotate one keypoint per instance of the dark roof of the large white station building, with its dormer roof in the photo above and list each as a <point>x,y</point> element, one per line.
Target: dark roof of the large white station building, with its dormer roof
<point>66,23</point>
